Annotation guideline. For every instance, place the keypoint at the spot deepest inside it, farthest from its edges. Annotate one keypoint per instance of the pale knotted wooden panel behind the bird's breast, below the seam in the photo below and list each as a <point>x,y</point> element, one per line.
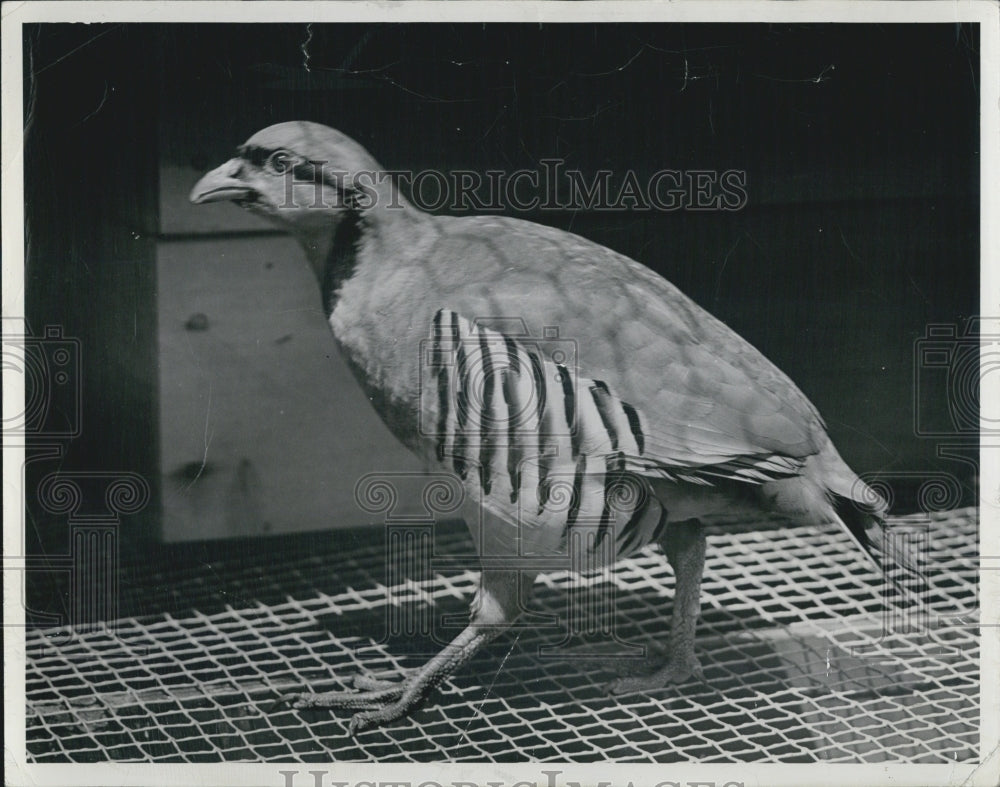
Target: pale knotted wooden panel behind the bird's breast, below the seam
<point>264,430</point>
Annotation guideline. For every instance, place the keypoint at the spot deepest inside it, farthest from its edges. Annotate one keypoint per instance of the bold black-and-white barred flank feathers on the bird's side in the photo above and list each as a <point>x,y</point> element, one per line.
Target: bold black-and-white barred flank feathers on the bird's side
<point>518,417</point>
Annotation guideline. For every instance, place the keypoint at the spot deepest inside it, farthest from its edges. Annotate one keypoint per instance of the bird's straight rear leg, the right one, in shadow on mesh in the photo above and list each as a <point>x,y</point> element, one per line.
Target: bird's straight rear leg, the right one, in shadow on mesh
<point>684,545</point>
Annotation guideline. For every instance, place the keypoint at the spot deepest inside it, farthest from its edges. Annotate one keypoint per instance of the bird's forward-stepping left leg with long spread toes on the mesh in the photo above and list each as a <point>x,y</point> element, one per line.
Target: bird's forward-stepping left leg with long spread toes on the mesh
<point>495,607</point>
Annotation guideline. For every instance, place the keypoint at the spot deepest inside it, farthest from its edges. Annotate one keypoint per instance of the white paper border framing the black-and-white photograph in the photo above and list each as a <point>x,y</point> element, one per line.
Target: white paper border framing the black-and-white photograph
<point>14,15</point>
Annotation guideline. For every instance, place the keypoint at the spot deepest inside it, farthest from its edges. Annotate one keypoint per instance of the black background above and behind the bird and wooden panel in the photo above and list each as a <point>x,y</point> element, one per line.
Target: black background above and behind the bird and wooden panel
<point>860,143</point>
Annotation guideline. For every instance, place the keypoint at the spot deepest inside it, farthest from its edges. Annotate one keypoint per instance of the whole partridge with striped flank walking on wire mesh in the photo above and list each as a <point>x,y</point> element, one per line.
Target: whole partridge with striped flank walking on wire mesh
<point>584,403</point>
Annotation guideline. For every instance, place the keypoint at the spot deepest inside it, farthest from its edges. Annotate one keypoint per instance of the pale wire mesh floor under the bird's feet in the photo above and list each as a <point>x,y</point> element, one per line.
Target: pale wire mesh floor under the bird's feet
<point>804,660</point>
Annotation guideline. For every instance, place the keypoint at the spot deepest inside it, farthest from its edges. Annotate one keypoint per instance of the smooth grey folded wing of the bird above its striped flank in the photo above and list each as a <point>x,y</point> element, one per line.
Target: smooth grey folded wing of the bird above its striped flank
<point>703,395</point>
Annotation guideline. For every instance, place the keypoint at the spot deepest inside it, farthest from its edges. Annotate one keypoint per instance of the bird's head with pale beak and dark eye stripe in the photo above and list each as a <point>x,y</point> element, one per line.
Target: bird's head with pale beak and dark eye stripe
<point>303,176</point>
